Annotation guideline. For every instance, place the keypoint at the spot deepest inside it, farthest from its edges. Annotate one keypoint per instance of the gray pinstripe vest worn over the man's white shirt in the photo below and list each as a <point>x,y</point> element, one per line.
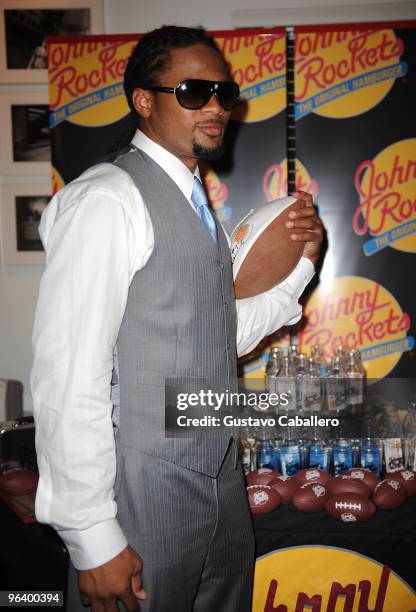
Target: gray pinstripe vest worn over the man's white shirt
<point>180,321</point>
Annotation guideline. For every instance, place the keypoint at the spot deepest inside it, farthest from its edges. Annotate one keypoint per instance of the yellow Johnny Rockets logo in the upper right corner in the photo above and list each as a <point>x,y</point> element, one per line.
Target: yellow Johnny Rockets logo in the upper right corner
<point>345,73</point>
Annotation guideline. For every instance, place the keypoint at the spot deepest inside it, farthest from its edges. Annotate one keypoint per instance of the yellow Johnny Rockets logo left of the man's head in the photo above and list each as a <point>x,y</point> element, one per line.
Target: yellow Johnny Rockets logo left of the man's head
<point>86,82</point>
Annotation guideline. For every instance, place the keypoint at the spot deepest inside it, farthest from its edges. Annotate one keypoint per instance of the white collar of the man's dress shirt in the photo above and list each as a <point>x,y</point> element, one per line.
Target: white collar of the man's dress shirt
<point>173,166</point>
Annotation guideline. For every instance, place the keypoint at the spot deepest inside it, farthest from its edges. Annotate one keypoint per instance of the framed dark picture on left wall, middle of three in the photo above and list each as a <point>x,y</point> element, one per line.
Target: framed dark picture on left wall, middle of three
<point>25,145</point>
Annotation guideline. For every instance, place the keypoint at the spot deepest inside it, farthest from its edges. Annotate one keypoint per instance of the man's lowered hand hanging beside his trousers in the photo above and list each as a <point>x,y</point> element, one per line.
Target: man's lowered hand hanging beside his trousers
<point>119,578</point>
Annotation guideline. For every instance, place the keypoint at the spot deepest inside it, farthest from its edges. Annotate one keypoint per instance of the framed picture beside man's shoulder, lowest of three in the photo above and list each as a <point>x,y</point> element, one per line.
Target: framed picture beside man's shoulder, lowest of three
<point>21,209</point>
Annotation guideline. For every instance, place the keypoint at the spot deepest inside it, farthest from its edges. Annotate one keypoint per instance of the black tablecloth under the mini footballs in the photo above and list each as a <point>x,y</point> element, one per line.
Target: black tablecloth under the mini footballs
<point>33,557</point>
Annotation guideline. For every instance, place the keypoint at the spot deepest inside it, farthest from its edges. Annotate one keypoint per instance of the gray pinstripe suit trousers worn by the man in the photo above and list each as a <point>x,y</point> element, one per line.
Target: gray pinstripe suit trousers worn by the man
<point>193,532</point>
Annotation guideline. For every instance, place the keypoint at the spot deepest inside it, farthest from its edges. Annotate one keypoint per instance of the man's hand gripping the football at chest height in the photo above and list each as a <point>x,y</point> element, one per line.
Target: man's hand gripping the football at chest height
<point>307,227</point>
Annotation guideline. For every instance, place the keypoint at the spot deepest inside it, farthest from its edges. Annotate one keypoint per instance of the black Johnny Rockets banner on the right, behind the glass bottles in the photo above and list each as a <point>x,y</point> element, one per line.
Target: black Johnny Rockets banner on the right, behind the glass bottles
<point>356,152</point>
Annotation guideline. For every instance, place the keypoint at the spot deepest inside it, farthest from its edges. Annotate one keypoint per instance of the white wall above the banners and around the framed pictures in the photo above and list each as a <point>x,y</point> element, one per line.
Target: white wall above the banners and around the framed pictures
<point>19,284</point>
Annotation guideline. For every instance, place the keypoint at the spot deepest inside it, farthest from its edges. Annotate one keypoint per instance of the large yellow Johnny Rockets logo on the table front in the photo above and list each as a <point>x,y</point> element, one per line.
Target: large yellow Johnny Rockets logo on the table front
<point>336,579</point>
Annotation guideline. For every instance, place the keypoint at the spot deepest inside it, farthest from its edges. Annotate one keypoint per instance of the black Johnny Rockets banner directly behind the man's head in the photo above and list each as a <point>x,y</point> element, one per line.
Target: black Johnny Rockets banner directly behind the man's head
<point>88,108</point>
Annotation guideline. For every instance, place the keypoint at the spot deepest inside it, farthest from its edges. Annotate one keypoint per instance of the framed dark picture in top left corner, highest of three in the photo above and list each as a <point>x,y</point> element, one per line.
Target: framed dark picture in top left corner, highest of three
<point>24,25</point>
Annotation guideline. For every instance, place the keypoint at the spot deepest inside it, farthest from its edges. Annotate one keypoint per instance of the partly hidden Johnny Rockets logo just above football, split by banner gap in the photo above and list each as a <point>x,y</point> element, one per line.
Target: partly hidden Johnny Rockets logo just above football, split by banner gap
<point>275,180</point>
